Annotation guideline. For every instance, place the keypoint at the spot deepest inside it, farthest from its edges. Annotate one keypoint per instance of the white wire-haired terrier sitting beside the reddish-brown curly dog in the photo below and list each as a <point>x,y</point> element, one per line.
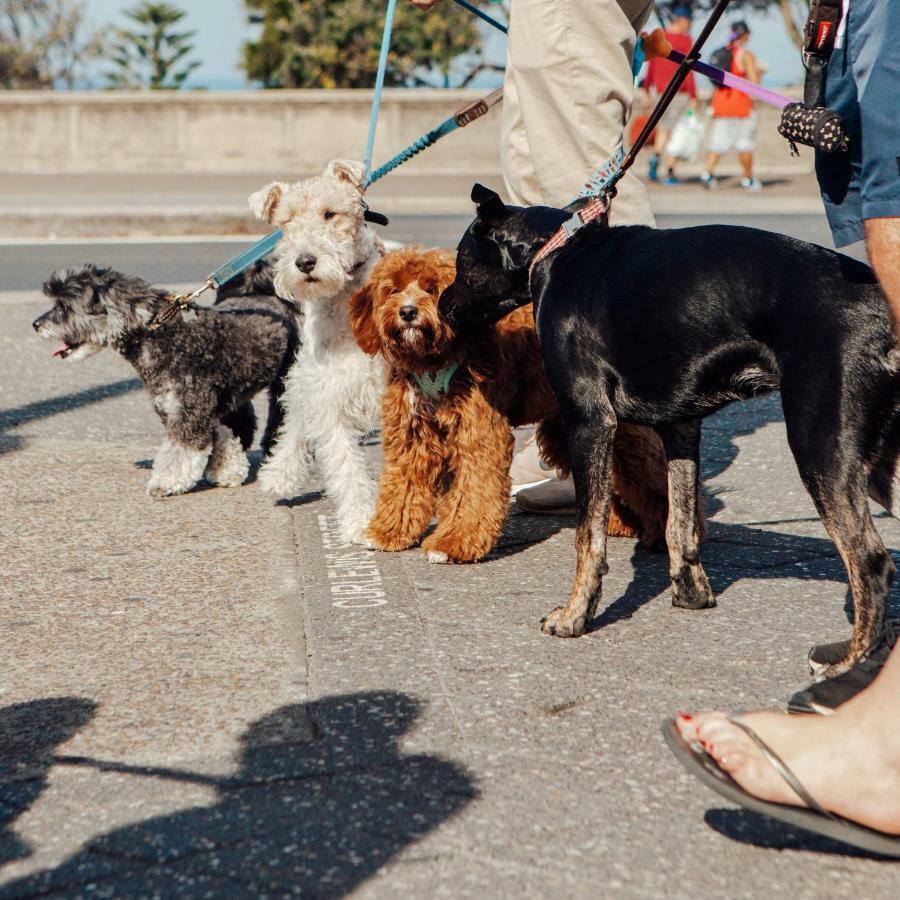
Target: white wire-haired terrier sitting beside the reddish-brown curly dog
<point>333,391</point>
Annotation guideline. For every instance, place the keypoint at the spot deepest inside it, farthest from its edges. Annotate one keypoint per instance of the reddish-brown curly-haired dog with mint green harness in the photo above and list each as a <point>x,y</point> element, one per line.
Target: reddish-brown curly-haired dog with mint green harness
<point>450,454</point>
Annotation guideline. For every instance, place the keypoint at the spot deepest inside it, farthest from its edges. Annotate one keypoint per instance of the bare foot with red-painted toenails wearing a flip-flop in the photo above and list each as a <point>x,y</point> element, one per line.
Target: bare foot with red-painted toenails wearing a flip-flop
<point>849,762</point>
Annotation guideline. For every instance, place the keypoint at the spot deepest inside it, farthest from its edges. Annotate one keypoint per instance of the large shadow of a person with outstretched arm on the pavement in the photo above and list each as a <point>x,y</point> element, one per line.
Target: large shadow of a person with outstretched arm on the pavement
<point>308,811</point>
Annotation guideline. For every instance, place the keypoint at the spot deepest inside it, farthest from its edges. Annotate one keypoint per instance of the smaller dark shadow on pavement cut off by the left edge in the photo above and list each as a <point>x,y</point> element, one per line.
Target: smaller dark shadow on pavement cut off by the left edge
<point>29,733</point>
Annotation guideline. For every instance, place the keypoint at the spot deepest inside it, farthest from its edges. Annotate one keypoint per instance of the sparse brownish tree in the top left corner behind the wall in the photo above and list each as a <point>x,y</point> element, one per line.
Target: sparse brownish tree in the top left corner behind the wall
<point>43,43</point>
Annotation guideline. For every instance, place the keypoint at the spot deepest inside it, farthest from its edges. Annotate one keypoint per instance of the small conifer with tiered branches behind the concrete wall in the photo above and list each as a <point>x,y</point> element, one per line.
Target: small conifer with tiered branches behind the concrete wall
<point>151,54</point>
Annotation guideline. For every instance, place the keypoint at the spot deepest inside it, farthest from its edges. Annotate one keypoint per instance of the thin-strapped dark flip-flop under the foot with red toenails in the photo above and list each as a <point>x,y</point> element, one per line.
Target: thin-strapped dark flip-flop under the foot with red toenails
<point>814,818</point>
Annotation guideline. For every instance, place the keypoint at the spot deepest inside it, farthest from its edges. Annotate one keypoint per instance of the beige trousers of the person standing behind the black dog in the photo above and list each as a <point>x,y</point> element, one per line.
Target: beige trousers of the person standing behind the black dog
<point>567,96</point>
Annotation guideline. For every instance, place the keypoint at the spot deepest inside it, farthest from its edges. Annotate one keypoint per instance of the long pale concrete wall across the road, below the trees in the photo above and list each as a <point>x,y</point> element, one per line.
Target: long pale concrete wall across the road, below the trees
<point>292,132</point>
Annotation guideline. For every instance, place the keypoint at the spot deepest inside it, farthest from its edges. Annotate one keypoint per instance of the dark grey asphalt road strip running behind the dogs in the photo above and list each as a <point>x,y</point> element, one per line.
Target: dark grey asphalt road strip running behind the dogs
<point>179,261</point>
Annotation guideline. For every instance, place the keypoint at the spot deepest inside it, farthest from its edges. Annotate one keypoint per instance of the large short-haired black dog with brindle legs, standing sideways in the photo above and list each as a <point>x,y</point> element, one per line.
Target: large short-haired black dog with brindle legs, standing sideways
<point>664,327</point>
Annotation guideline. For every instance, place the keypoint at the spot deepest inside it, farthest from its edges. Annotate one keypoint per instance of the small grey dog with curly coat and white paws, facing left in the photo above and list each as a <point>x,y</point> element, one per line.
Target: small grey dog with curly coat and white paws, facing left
<point>201,370</point>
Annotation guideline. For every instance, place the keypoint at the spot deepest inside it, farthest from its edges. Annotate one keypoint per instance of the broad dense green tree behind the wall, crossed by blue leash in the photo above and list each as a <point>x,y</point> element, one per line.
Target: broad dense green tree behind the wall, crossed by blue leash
<point>310,43</point>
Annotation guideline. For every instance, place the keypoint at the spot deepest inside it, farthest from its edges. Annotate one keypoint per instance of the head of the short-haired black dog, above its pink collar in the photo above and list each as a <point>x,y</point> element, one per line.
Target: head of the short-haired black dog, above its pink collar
<point>493,259</point>
